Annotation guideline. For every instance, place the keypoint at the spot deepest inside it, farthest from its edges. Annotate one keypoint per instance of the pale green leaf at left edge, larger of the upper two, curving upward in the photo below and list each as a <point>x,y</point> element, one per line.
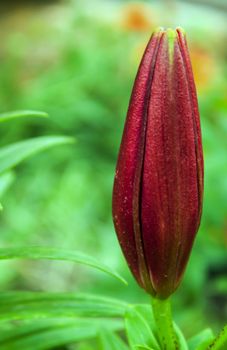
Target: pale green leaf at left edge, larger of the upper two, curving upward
<point>15,153</point>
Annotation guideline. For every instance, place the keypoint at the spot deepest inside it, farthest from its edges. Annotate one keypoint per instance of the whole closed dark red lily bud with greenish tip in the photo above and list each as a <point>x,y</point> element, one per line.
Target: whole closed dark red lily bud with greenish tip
<point>158,187</point>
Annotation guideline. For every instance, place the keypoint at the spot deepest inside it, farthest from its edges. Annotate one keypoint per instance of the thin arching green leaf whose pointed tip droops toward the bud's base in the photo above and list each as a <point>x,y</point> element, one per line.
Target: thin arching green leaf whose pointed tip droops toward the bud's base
<point>37,253</point>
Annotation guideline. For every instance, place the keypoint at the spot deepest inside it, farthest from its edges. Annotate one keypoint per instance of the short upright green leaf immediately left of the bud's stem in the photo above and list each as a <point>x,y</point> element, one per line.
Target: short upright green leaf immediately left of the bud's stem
<point>140,327</point>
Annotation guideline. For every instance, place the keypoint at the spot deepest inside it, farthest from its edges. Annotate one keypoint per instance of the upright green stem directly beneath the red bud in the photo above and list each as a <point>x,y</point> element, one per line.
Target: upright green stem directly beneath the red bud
<point>163,318</point>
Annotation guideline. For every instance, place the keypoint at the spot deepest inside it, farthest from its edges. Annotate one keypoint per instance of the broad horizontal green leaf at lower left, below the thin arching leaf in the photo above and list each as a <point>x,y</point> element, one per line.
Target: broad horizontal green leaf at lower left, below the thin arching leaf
<point>33,305</point>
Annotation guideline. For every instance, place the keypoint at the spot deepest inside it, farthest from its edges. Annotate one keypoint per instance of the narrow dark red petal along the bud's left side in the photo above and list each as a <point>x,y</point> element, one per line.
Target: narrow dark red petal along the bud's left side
<point>125,193</point>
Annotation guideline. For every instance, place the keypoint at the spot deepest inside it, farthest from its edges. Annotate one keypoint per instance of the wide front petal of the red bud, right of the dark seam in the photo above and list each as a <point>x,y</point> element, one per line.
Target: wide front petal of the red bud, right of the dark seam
<point>170,193</point>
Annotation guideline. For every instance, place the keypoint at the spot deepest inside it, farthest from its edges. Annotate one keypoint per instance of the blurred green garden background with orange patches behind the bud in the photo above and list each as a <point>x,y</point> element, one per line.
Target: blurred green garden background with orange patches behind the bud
<point>77,61</point>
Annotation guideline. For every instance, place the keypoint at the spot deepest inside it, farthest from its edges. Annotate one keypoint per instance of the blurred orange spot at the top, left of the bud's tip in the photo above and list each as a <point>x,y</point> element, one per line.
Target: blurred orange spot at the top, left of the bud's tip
<point>136,18</point>
